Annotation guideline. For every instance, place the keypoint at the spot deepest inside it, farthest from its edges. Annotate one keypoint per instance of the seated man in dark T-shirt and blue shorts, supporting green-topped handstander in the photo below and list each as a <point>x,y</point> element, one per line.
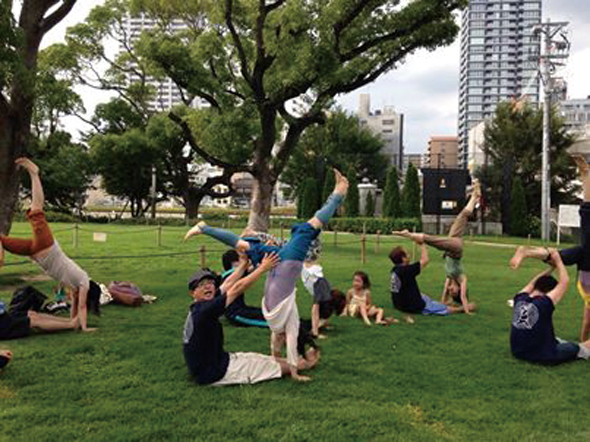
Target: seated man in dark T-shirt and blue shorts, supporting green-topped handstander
<point>405,293</point>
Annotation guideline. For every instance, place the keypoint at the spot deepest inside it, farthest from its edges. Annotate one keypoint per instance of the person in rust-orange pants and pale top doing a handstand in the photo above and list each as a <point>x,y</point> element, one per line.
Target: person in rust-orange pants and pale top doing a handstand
<point>46,252</point>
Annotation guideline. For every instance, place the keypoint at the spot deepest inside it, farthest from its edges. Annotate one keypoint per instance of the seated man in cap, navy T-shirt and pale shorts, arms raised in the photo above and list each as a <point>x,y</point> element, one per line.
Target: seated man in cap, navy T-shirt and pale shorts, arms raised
<point>206,359</point>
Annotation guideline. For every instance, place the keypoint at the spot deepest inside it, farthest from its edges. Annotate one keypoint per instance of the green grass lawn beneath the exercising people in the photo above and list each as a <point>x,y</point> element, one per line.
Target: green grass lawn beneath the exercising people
<point>441,379</point>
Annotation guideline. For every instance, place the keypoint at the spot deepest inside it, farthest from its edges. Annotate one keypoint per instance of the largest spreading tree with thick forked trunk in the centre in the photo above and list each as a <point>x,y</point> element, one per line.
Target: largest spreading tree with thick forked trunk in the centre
<point>250,59</point>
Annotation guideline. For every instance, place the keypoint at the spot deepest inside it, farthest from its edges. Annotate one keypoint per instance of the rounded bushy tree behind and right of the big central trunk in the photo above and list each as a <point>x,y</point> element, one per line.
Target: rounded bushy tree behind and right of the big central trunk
<point>342,141</point>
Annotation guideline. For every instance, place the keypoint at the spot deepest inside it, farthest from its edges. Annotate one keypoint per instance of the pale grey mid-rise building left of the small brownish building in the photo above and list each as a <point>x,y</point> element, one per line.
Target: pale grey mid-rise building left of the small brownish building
<point>388,124</point>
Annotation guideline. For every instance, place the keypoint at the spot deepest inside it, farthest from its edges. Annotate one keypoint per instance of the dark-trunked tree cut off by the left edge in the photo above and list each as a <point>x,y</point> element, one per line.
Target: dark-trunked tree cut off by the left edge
<point>19,49</point>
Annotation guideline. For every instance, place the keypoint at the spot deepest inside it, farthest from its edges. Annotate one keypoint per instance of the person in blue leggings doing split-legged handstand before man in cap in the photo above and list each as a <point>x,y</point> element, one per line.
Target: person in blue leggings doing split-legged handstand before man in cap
<point>278,304</point>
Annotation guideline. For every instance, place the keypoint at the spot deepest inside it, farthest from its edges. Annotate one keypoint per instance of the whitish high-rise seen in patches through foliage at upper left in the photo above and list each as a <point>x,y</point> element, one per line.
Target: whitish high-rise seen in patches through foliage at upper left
<point>167,94</point>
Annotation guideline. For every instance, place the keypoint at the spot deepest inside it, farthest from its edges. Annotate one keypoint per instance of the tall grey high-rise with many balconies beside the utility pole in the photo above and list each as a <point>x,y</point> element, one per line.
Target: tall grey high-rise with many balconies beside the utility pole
<point>497,45</point>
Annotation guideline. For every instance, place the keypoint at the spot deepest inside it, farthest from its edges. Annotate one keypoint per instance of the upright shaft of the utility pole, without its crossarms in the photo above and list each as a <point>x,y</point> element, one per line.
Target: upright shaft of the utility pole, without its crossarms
<point>545,186</point>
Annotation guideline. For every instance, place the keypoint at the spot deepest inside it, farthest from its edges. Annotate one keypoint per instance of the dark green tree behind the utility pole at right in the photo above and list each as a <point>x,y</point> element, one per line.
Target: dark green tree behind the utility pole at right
<point>513,142</point>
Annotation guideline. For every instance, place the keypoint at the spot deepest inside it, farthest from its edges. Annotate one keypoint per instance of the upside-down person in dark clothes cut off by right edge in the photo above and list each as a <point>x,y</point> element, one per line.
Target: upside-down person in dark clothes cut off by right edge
<point>579,255</point>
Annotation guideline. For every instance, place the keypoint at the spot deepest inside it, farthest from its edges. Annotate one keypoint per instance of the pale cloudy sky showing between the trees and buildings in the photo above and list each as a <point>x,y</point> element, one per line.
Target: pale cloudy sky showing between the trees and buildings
<point>425,87</point>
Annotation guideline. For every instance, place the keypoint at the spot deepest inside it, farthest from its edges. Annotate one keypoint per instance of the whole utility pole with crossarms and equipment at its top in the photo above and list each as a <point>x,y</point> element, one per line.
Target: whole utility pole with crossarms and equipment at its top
<point>554,53</point>
